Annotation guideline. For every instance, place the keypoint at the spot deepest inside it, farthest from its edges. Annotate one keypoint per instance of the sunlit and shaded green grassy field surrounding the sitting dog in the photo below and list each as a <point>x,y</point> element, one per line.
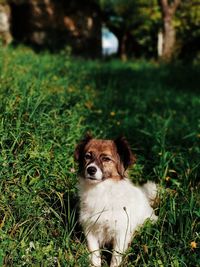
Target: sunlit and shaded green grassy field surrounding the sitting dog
<point>47,103</point>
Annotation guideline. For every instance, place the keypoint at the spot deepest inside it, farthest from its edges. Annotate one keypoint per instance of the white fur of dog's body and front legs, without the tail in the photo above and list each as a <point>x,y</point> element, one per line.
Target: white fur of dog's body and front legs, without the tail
<point>111,211</point>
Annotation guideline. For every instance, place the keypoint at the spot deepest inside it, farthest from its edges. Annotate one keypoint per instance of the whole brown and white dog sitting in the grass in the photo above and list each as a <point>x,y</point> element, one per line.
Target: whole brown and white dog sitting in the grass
<point>111,207</point>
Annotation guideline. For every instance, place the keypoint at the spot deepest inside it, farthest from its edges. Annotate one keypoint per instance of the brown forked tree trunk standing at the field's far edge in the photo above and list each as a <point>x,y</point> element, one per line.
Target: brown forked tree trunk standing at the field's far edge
<point>168,9</point>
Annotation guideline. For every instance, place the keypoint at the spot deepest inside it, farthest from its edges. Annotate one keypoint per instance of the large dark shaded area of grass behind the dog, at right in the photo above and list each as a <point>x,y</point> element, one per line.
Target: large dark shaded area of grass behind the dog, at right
<point>155,107</point>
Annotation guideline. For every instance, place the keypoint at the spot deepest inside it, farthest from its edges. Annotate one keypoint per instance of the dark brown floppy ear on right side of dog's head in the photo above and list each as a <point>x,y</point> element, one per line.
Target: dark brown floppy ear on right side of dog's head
<point>124,151</point>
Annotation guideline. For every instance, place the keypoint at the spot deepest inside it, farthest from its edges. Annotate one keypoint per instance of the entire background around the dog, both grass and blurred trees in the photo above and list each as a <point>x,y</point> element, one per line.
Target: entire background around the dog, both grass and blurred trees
<point>62,73</point>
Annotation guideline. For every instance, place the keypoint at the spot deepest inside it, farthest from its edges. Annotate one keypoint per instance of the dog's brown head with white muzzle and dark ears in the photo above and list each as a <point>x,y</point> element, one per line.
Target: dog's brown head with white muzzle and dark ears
<point>103,159</point>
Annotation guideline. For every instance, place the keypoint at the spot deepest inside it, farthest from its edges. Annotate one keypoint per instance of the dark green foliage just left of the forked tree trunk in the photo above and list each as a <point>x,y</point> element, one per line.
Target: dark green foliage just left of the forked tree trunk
<point>135,23</point>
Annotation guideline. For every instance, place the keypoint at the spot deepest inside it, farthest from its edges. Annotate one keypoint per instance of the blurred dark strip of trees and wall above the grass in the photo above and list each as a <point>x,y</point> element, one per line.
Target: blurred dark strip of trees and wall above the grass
<point>152,29</point>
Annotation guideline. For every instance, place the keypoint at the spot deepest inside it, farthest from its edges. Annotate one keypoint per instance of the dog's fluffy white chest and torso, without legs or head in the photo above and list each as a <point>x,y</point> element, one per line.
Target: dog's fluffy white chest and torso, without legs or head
<point>111,206</point>
